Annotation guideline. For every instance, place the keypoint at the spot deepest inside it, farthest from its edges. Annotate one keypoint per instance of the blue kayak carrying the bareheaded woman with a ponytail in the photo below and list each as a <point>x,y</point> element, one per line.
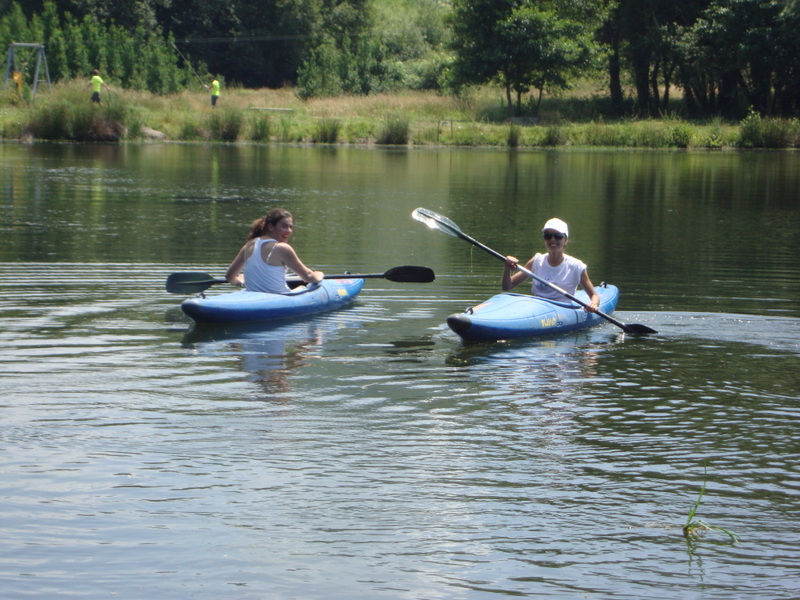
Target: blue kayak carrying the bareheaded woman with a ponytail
<point>242,306</point>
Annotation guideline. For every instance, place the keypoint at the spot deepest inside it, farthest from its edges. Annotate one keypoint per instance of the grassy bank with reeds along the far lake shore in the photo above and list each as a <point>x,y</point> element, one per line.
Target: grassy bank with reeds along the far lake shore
<point>410,118</point>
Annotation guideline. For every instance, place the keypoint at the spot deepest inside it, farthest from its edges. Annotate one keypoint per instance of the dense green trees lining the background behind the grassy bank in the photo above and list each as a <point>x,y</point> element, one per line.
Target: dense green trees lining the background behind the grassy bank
<point>698,58</point>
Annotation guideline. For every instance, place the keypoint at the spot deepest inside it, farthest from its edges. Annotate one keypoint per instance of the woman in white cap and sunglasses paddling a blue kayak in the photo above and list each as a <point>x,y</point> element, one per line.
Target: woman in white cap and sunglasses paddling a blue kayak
<point>557,267</point>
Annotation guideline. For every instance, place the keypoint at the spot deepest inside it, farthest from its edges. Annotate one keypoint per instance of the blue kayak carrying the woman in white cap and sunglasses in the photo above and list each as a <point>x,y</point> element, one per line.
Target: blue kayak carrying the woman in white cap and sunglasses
<point>507,316</point>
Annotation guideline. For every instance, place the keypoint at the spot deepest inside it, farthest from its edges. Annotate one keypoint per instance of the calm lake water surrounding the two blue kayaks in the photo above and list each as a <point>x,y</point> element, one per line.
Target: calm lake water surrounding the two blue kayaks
<point>367,453</point>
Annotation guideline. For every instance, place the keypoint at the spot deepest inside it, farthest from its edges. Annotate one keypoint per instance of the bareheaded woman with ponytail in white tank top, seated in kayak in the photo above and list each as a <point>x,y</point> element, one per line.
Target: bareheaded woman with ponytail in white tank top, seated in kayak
<point>262,262</point>
